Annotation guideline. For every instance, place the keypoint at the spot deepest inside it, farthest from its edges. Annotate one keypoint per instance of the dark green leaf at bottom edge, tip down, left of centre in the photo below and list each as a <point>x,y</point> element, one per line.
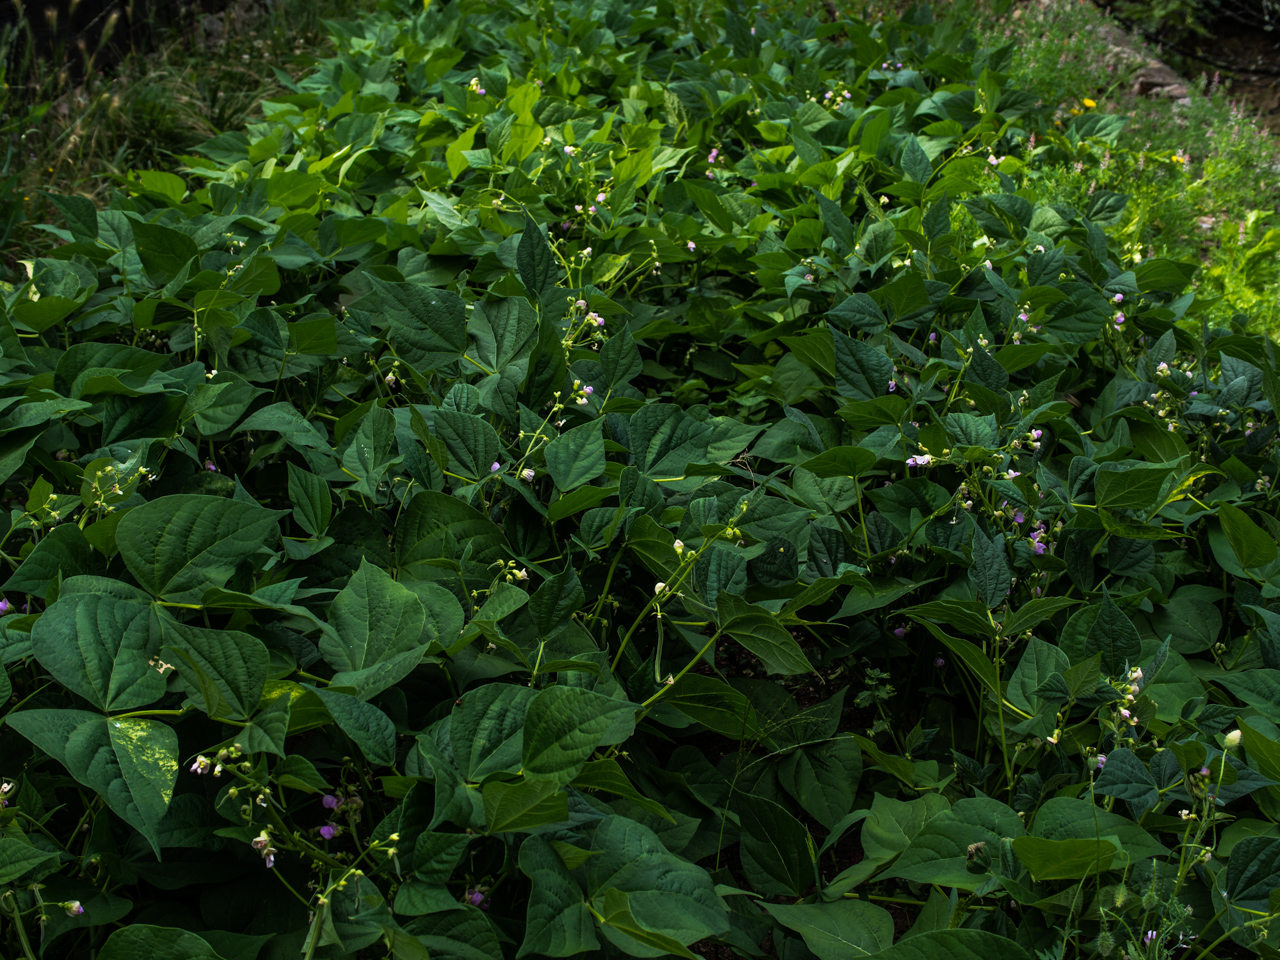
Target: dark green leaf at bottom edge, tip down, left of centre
<point>557,922</point>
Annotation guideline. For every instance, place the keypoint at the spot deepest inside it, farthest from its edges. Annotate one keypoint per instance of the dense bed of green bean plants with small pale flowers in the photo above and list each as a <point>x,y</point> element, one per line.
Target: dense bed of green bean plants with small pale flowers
<point>636,481</point>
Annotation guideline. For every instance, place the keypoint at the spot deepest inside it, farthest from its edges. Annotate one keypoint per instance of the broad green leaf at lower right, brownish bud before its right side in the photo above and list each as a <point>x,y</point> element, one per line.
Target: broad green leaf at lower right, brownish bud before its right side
<point>939,853</point>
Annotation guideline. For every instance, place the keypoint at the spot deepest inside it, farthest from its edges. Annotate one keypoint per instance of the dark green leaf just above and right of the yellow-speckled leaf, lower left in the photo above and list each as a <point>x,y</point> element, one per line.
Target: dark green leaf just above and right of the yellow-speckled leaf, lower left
<point>226,670</point>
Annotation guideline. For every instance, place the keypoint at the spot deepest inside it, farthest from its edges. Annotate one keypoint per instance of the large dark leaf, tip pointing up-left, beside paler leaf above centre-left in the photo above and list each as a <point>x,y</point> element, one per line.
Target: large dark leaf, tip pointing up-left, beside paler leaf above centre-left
<point>428,326</point>
